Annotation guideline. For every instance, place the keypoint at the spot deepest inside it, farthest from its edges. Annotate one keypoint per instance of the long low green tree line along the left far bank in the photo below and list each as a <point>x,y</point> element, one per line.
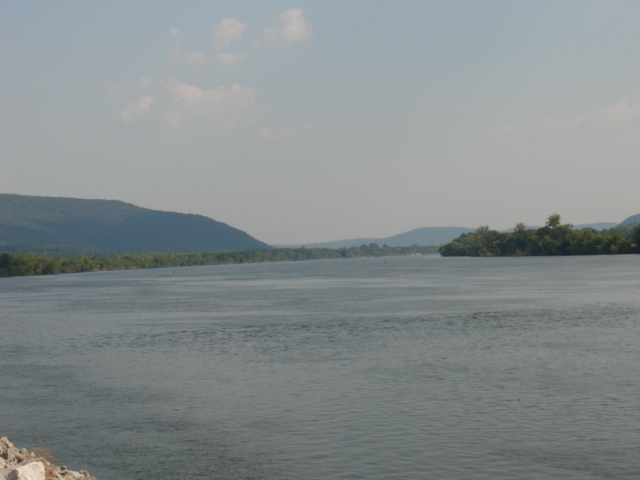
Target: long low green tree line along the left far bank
<point>22,264</point>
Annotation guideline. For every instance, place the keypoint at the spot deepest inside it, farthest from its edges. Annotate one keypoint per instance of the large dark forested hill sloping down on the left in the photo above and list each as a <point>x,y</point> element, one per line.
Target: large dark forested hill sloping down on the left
<point>72,225</point>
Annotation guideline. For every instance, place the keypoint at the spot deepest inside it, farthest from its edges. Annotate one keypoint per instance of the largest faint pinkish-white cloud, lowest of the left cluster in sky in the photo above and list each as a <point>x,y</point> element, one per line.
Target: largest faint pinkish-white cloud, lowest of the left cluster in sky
<point>216,109</point>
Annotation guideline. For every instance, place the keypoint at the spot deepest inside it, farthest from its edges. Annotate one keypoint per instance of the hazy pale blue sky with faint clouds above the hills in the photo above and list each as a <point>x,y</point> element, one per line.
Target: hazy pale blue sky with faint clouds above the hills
<point>302,122</point>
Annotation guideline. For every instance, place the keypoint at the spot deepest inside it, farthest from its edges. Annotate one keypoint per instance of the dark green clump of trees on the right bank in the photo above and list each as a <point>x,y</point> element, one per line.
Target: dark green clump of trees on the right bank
<point>554,238</point>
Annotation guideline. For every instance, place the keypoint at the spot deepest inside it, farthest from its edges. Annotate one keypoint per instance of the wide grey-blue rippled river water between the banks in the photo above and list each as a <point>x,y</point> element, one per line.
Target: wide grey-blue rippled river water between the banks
<point>420,367</point>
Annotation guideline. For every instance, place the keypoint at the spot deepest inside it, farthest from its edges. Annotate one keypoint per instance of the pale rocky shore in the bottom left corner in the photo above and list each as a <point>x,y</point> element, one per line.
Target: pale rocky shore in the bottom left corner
<point>20,464</point>
